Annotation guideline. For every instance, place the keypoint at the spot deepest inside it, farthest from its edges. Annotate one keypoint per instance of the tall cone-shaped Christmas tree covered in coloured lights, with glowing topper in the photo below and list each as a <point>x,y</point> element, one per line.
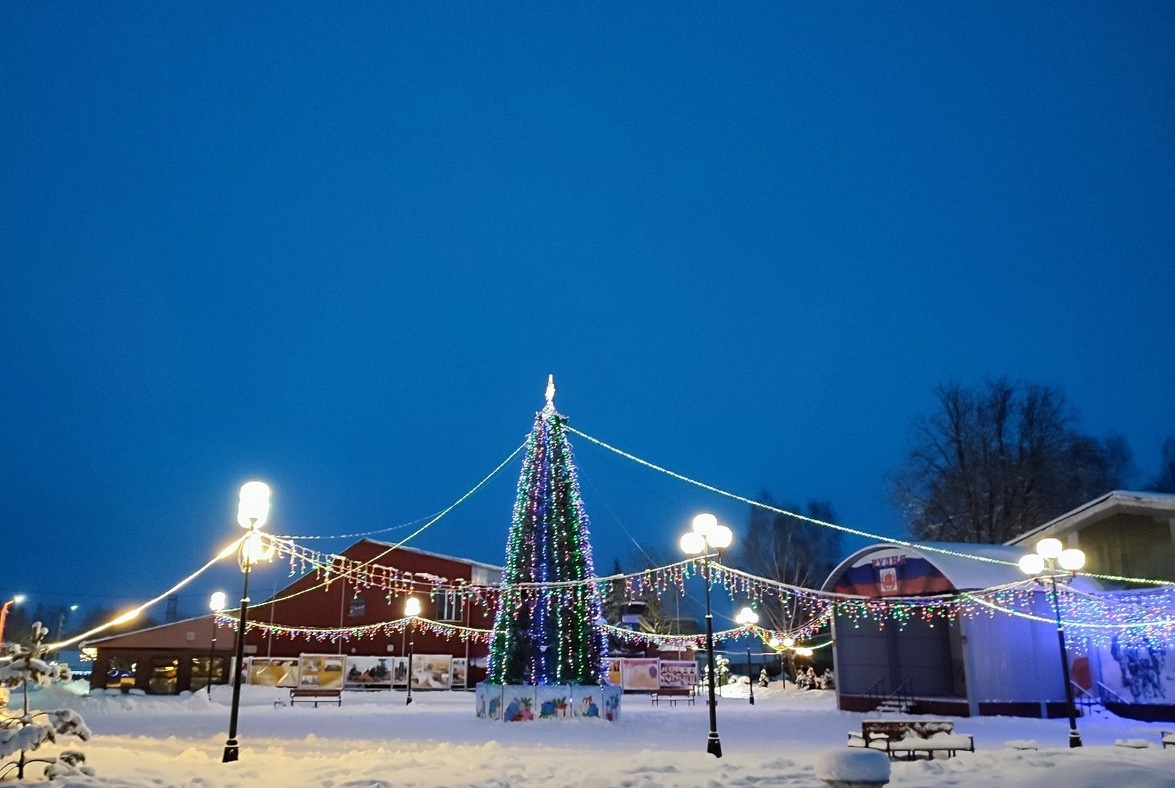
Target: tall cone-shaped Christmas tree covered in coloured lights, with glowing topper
<point>547,627</point>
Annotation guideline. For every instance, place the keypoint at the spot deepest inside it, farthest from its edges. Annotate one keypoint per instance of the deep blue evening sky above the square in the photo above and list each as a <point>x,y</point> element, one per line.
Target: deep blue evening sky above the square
<point>340,248</point>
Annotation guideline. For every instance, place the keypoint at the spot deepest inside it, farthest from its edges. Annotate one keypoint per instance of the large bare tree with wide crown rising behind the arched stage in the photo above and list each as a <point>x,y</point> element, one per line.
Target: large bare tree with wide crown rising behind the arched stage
<point>1001,460</point>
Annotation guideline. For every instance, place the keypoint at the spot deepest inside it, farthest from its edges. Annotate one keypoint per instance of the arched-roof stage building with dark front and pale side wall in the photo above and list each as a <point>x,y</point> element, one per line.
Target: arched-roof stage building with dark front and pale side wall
<point>978,665</point>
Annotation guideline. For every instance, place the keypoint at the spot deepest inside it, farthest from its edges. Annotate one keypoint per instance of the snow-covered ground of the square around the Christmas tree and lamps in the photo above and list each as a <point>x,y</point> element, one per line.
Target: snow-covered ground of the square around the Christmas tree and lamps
<point>377,740</point>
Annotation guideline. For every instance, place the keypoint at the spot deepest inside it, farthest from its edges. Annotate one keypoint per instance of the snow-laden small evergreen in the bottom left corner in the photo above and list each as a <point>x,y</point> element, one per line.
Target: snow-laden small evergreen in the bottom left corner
<point>26,732</point>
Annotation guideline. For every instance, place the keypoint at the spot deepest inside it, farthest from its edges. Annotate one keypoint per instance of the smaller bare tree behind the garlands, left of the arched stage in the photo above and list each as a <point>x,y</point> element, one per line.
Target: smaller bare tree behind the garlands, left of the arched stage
<point>789,550</point>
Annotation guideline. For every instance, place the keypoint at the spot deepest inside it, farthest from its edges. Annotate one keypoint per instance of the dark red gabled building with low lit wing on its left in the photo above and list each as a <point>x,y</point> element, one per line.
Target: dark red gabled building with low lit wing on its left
<point>348,607</point>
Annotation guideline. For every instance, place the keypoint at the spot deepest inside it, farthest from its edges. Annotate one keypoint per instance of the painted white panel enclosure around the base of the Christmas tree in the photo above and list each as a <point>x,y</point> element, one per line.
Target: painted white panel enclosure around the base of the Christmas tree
<point>522,703</point>
